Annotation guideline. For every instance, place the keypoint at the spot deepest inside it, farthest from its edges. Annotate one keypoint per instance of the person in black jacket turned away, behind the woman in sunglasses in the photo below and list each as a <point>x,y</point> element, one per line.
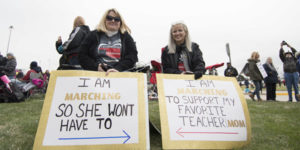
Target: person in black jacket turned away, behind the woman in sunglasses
<point>70,48</point>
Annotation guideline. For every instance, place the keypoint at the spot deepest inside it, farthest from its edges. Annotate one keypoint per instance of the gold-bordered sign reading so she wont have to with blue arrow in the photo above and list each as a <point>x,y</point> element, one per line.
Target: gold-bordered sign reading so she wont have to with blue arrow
<point>88,110</point>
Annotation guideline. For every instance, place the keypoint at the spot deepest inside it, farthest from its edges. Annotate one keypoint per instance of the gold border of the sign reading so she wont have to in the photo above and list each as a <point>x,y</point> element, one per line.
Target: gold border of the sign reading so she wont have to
<point>143,123</point>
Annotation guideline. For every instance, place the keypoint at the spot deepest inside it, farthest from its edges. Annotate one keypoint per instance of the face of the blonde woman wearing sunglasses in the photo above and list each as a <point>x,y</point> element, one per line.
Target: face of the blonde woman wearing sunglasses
<point>112,22</point>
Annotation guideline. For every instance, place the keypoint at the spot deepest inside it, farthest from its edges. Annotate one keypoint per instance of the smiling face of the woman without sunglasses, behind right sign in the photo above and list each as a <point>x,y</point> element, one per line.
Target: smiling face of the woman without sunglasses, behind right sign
<point>178,34</point>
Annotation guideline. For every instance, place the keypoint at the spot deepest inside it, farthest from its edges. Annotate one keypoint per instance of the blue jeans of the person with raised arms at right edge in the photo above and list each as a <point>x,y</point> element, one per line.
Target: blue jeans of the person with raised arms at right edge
<point>292,79</point>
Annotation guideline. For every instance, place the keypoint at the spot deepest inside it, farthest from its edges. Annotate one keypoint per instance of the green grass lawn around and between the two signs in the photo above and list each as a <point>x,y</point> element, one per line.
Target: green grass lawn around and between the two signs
<point>275,125</point>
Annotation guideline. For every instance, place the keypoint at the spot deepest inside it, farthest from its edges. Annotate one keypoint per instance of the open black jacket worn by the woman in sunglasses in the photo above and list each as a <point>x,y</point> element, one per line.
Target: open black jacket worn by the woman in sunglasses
<point>89,52</point>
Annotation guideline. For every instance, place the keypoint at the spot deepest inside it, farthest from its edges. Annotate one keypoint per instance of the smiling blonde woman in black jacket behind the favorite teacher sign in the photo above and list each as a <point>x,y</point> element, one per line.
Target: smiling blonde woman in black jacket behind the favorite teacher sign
<point>182,56</point>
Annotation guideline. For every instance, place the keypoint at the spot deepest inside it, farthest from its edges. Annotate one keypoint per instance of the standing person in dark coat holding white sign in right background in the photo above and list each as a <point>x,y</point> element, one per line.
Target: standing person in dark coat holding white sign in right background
<point>271,80</point>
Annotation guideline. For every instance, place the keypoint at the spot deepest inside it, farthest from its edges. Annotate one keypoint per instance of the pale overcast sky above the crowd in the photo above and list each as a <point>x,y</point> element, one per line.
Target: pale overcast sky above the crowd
<point>248,25</point>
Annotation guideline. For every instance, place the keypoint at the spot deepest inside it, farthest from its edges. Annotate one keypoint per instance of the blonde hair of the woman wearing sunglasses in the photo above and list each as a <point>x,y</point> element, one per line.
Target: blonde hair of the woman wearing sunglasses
<point>102,27</point>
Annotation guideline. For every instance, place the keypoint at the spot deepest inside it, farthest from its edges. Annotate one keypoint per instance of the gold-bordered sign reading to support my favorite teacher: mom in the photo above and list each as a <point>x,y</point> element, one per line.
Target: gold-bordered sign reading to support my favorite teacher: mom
<point>210,113</point>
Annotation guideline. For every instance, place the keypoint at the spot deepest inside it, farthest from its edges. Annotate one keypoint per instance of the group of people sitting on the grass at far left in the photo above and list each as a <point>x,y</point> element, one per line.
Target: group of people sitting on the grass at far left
<point>13,81</point>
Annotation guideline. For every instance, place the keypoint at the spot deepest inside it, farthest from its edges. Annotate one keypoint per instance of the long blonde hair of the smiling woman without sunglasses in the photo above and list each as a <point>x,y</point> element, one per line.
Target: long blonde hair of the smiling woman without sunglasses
<point>172,45</point>
